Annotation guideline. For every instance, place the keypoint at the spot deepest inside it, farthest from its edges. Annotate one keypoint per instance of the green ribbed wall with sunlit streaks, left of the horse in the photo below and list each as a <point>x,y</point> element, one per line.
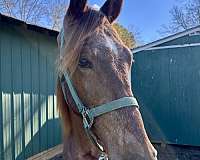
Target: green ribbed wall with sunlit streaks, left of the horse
<point>29,122</point>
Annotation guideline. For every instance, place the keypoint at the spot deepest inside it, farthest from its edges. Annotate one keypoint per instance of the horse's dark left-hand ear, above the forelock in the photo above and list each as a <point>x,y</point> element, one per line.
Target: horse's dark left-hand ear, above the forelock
<point>76,8</point>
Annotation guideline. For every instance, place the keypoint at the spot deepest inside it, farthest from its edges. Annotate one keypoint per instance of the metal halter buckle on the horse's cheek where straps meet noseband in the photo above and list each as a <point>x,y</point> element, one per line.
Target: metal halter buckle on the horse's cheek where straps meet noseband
<point>87,119</point>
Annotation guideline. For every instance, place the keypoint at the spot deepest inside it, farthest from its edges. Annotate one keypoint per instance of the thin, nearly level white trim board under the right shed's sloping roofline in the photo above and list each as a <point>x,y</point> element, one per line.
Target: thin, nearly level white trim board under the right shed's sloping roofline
<point>173,46</point>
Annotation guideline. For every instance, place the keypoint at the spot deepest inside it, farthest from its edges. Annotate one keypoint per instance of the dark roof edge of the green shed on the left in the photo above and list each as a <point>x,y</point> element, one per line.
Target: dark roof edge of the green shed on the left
<point>35,28</point>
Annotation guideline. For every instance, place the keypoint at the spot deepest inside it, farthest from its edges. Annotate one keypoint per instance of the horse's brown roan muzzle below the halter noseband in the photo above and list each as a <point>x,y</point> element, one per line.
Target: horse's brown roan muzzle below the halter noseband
<point>125,137</point>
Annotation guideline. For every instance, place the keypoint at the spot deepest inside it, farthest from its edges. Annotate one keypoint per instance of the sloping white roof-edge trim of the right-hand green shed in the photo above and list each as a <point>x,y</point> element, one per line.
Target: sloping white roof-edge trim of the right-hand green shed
<point>167,39</point>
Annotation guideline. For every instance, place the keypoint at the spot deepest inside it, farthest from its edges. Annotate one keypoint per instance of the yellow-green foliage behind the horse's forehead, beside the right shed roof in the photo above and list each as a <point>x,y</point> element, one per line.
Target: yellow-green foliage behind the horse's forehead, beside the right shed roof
<point>126,36</point>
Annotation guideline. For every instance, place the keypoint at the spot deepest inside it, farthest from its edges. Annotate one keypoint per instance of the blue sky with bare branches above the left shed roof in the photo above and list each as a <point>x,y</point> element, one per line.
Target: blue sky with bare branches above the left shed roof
<point>48,13</point>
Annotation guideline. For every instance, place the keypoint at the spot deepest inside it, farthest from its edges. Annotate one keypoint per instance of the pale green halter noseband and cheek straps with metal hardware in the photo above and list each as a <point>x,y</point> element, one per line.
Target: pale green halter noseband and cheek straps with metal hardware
<point>89,114</point>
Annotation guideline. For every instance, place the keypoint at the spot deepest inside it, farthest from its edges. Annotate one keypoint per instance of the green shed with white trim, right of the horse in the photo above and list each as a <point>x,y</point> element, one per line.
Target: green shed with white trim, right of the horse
<point>166,81</point>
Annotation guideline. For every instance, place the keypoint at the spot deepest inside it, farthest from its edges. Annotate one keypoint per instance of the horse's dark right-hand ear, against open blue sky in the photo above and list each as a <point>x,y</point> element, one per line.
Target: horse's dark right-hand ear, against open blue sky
<point>112,9</point>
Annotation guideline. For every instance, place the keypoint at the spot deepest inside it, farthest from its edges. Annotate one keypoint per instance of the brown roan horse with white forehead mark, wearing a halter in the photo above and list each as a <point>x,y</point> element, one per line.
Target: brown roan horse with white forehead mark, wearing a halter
<point>98,65</point>
